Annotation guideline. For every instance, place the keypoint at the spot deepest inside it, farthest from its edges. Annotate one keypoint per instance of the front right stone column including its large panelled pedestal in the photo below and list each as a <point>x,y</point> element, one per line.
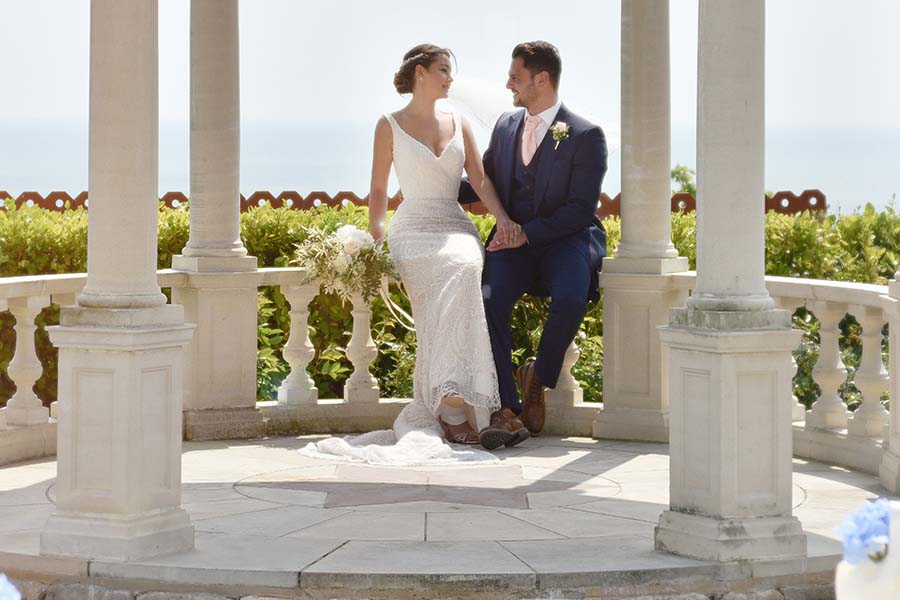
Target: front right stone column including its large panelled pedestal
<point>730,350</point>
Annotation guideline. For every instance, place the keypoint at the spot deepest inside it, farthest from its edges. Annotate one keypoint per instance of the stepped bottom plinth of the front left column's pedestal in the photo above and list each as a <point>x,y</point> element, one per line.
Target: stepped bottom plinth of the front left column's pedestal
<point>120,539</point>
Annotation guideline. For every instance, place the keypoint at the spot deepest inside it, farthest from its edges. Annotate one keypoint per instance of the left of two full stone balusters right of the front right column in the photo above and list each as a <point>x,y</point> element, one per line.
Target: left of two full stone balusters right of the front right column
<point>829,411</point>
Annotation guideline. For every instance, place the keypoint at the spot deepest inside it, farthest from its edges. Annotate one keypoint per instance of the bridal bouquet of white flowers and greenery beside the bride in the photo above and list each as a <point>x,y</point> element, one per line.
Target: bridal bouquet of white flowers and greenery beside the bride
<point>346,262</point>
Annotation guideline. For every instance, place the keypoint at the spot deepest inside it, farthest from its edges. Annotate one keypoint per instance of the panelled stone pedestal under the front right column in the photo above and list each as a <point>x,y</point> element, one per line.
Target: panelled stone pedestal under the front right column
<point>730,443</point>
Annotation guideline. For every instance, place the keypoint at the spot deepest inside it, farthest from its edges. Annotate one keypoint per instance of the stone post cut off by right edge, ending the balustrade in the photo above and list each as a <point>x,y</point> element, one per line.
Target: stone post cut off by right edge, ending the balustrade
<point>890,460</point>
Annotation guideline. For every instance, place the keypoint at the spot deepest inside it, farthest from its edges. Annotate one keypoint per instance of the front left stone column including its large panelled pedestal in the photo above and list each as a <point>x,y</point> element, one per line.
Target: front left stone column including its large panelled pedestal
<point>118,492</point>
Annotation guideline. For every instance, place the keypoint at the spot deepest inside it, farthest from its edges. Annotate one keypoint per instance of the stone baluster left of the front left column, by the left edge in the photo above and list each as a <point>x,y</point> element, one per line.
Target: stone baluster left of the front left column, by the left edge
<point>25,408</point>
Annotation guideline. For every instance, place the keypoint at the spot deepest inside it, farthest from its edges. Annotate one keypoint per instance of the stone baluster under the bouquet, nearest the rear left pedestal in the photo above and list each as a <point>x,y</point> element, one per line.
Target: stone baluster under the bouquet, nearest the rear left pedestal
<point>298,387</point>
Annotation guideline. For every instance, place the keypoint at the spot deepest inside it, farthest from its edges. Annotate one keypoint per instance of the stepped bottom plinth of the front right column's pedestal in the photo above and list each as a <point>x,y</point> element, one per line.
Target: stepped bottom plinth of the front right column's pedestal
<point>726,540</point>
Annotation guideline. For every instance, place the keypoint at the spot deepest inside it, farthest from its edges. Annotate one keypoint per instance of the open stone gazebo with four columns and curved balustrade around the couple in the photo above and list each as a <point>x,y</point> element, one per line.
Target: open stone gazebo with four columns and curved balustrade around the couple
<point>701,361</point>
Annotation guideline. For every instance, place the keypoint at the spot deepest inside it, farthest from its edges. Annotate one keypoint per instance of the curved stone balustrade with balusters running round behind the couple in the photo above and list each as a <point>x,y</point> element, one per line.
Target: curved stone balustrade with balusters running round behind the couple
<point>827,432</point>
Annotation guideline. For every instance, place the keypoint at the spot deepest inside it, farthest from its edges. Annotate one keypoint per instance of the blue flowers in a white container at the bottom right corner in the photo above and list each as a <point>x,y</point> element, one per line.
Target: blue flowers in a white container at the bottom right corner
<point>870,569</point>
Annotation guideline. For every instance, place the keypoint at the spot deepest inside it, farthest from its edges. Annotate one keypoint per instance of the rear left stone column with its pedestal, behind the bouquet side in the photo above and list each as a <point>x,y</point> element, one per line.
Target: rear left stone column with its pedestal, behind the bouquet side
<point>220,295</point>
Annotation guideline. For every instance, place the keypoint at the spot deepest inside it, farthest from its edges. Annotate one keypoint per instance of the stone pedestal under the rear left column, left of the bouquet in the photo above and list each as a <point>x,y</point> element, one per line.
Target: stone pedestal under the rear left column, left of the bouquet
<point>220,361</point>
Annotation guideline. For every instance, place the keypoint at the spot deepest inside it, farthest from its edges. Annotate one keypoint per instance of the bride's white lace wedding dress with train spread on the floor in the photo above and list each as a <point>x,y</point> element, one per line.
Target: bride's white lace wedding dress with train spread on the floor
<point>439,256</point>
